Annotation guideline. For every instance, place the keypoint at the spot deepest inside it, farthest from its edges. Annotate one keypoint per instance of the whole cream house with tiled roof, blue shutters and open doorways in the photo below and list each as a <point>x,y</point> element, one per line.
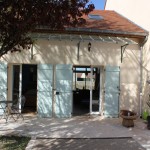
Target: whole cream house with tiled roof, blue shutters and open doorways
<point>106,51</point>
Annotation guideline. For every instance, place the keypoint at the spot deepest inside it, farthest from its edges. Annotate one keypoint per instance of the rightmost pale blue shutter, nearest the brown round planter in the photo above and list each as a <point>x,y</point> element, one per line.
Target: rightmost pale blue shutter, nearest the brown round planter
<point>112,86</point>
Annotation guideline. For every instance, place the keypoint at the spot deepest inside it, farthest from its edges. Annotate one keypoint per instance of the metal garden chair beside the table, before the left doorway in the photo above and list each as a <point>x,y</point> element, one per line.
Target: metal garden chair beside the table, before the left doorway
<point>15,109</point>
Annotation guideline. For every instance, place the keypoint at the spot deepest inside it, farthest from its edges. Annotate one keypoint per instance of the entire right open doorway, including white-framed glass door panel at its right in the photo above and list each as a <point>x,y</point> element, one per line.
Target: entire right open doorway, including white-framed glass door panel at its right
<point>86,90</point>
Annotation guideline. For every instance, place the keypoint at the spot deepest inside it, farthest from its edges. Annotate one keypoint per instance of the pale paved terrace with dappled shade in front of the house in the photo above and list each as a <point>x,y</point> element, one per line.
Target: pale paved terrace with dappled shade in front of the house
<point>44,129</point>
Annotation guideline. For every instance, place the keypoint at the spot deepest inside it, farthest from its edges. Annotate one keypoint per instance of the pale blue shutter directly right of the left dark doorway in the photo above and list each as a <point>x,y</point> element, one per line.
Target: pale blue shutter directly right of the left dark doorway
<point>44,87</point>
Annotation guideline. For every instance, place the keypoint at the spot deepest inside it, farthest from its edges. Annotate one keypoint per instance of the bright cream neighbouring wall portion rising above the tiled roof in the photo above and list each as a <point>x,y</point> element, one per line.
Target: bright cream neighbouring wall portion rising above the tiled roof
<point>136,10</point>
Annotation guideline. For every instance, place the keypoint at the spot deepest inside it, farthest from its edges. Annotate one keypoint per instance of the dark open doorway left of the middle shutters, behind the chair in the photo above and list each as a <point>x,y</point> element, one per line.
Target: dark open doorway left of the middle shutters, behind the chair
<point>29,87</point>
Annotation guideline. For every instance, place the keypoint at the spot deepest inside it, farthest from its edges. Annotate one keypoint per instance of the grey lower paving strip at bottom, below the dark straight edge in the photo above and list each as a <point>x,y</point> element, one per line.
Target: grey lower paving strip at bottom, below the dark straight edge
<point>125,143</point>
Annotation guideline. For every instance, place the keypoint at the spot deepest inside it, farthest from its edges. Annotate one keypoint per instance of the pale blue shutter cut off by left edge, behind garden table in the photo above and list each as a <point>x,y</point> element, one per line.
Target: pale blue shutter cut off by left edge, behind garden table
<point>3,82</point>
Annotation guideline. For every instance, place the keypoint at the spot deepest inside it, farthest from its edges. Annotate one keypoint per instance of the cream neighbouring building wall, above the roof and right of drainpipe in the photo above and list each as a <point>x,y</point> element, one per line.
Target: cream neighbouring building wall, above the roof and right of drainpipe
<point>138,12</point>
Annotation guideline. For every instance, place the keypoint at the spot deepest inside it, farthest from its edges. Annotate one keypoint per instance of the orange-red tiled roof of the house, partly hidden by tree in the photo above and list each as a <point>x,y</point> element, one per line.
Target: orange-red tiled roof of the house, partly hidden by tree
<point>111,24</point>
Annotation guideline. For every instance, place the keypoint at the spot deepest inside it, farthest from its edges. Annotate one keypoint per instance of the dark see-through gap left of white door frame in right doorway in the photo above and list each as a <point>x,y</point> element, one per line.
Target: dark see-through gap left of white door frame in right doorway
<point>81,90</point>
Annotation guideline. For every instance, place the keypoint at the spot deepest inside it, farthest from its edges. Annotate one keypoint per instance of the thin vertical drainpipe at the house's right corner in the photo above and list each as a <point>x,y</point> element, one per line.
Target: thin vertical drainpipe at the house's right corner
<point>141,74</point>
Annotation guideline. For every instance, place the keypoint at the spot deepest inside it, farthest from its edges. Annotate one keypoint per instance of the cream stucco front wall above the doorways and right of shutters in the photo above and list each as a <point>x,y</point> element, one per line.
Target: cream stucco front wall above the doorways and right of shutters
<point>102,54</point>
